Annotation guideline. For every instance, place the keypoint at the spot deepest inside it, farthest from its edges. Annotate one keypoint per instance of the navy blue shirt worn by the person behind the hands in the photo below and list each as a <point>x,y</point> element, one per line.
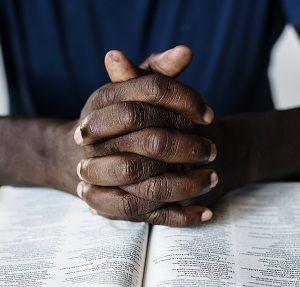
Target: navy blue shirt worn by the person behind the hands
<point>53,50</point>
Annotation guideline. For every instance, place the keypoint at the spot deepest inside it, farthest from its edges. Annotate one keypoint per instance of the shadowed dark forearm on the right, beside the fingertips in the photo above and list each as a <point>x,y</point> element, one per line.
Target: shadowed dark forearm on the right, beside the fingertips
<point>258,147</point>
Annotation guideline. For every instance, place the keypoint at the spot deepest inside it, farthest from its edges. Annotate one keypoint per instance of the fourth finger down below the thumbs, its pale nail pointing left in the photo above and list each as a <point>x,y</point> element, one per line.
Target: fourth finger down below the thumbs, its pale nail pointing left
<point>123,169</point>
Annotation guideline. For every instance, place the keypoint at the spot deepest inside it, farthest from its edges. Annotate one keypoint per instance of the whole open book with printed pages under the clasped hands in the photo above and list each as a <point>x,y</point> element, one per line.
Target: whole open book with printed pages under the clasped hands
<point>48,238</point>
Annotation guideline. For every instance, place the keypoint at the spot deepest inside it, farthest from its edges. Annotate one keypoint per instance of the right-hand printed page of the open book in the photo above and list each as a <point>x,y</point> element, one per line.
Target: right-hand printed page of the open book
<point>254,240</point>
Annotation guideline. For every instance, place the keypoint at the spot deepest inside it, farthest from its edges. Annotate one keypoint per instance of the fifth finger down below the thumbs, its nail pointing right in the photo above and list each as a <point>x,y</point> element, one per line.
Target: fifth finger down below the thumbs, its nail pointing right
<point>174,186</point>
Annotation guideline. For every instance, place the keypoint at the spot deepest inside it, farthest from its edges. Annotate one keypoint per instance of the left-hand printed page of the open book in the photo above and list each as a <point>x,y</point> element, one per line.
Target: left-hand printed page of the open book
<point>48,238</point>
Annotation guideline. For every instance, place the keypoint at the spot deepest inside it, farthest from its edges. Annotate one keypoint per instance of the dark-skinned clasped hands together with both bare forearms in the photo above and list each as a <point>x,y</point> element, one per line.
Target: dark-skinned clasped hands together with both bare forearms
<point>141,168</point>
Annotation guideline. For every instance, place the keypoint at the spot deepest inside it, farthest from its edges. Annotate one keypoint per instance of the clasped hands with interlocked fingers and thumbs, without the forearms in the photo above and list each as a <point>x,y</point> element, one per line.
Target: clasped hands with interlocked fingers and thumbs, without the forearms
<point>146,156</point>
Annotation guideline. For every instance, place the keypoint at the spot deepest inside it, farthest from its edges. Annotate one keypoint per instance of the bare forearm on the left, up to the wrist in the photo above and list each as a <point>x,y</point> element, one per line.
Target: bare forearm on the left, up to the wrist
<point>32,153</point>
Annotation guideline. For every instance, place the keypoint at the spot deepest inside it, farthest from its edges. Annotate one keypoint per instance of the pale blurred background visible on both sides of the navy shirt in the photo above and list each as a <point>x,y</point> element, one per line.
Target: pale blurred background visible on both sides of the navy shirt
<point>284,73</point>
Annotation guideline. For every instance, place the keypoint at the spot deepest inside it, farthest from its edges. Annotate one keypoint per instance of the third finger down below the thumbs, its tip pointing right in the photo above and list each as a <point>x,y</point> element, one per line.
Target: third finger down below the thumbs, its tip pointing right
<point>162,144</point>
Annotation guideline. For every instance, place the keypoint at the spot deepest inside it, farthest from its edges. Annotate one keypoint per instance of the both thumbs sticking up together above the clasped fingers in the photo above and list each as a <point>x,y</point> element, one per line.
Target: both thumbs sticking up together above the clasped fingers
<point>169,63</point>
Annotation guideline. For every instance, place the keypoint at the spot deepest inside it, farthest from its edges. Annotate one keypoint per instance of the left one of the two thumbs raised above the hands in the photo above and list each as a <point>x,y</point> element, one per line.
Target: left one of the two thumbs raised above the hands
<point>119,67</point>
